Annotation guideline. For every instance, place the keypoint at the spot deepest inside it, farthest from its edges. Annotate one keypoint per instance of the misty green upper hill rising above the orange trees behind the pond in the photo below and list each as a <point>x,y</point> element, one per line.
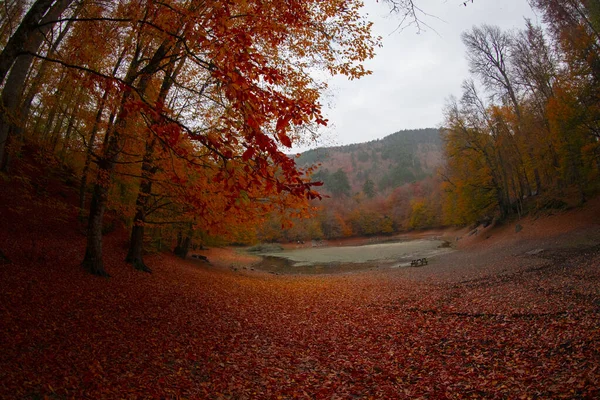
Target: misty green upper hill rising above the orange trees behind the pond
<point>379,165</point>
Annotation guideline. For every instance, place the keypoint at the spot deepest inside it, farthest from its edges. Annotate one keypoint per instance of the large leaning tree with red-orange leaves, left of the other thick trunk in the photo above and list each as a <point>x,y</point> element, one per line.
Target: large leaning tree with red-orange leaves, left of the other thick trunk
<point>262,96</point>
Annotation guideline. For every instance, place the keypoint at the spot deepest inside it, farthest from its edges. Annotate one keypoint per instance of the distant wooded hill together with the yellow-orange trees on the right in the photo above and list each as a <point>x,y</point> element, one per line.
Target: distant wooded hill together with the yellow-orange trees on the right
<point>522,137</point>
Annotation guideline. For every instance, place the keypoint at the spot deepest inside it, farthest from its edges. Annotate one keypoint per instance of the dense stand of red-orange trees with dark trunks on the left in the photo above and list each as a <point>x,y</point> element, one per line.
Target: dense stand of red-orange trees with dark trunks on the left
<point>175,120</point>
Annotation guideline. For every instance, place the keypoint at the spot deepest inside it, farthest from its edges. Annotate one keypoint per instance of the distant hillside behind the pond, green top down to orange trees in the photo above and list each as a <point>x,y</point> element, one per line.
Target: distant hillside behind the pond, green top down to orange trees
<point>379,187</point>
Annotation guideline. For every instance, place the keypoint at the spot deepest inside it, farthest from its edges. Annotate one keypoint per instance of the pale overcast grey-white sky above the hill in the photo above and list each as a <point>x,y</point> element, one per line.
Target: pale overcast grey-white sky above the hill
<point>414,73</point>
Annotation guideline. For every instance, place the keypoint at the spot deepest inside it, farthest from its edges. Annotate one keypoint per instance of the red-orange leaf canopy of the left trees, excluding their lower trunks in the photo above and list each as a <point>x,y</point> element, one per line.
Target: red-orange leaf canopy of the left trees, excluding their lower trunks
<point>206,99</point>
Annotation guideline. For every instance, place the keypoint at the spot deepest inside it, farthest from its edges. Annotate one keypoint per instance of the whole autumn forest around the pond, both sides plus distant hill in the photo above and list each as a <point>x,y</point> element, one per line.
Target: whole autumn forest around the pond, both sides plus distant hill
<point>179,132</point>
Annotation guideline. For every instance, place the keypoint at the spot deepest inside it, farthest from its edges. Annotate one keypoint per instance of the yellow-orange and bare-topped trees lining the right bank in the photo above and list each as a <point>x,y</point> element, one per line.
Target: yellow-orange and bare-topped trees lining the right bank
<point>523,135</point>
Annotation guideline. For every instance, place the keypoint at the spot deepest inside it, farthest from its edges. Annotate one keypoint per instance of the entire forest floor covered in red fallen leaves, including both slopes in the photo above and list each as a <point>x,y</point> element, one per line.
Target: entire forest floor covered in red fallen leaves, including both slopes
<point>509,315</point>
